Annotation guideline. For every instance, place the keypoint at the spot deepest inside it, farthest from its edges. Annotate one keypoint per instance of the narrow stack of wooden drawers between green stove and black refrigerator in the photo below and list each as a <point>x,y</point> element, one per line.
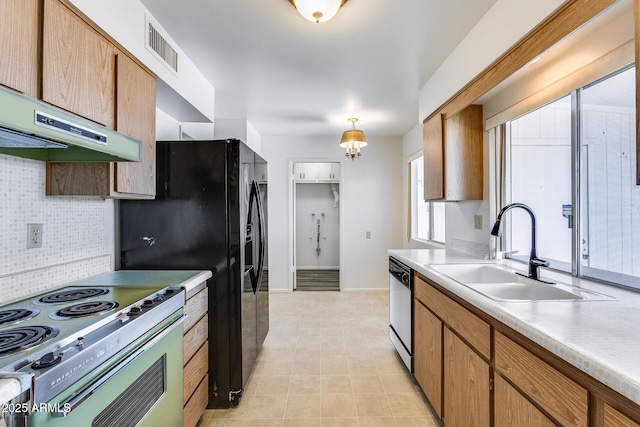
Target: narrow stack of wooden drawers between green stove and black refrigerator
<point>196,355</point>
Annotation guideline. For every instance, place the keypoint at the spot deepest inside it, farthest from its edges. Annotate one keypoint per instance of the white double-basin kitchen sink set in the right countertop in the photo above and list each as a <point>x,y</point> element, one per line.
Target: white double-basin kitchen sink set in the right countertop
<point>502,284</point>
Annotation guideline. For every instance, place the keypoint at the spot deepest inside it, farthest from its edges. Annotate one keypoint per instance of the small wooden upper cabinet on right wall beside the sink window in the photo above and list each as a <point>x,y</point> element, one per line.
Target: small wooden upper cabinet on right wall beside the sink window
<point>453,156</point>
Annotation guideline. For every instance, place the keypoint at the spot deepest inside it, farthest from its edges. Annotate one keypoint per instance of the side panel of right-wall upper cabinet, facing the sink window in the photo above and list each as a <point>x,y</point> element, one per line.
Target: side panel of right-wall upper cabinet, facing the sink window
<point>463,155</point>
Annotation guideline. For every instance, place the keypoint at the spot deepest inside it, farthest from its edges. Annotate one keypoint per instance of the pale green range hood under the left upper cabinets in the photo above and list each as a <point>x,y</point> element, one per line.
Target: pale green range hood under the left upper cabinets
<point>36,130</point>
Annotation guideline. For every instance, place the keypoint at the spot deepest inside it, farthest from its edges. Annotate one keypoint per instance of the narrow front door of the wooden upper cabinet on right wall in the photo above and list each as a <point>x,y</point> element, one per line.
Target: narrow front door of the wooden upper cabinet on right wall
<point>433,147</point>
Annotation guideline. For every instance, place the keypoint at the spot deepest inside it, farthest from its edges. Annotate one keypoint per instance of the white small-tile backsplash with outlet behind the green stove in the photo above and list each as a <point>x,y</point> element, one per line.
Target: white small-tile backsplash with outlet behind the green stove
<point>75,240</point>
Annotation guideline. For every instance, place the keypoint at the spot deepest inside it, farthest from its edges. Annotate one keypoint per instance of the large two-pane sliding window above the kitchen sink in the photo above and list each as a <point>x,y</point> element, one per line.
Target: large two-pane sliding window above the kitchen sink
<point>573,161</point>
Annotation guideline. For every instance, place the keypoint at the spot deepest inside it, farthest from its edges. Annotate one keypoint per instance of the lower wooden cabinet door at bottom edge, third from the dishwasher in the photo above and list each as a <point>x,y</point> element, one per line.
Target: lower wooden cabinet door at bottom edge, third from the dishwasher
<point>513,409</point>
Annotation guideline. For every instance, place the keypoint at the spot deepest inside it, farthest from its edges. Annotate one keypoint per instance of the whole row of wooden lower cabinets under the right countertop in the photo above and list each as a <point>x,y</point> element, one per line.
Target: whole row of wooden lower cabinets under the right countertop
<point>476,371</point>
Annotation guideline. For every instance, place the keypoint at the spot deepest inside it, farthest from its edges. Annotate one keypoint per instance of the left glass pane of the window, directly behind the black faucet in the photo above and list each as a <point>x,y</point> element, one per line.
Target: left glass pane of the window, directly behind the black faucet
<point>539,173</point>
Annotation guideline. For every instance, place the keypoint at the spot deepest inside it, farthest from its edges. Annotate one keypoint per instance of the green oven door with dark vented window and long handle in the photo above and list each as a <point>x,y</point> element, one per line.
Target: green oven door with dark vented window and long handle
<point>143,389</point>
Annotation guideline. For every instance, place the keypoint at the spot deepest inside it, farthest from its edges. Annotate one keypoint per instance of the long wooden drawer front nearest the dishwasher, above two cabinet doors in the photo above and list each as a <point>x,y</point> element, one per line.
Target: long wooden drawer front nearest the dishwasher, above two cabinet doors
<point>474,330</point>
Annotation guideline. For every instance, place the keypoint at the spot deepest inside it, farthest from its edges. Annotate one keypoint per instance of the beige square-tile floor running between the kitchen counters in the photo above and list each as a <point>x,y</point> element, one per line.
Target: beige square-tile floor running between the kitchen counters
<point>327,361</point>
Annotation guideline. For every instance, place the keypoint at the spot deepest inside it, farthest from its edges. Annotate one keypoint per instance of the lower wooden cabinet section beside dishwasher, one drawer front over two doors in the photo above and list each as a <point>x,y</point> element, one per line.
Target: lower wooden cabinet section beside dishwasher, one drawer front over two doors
<point>449,365</point>
